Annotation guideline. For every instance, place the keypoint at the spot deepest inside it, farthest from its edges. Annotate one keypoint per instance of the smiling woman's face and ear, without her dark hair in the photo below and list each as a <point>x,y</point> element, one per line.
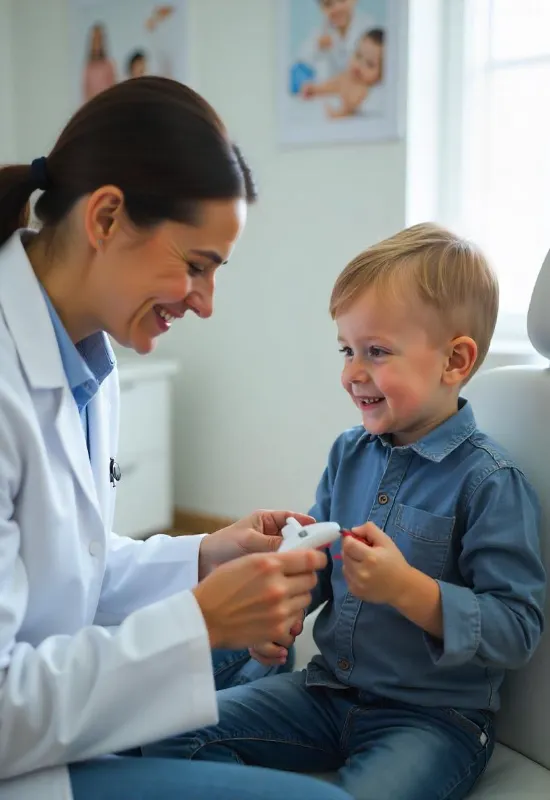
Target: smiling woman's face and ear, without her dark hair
<point>142,281</point>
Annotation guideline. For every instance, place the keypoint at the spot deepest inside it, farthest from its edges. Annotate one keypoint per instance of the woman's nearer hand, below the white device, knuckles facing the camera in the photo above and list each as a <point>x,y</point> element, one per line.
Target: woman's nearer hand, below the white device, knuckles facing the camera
<point>258,597</point>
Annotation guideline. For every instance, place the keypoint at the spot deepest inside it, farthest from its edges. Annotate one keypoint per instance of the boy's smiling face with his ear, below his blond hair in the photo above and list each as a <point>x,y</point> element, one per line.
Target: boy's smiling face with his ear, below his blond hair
<point>400,370</point>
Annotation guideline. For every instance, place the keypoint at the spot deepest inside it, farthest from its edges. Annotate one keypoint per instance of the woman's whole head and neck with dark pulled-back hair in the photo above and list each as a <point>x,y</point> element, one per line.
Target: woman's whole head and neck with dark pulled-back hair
<point>144,197</point>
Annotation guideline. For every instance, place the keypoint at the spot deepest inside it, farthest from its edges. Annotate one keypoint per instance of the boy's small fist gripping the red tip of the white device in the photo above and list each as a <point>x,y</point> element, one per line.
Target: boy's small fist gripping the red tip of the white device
<point>375,570</point>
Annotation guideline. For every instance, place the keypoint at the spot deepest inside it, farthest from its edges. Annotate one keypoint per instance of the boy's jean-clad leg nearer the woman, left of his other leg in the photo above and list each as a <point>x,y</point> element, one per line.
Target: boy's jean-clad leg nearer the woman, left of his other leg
<point>275,722</point>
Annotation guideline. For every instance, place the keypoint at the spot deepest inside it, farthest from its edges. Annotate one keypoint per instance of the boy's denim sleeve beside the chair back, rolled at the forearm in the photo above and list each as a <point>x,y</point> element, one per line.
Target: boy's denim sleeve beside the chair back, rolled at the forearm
<point>495,618</point>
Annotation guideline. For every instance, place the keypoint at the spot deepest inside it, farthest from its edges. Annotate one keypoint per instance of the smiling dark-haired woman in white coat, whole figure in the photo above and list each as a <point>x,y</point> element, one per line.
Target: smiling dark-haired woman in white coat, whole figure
<point>104,641</point>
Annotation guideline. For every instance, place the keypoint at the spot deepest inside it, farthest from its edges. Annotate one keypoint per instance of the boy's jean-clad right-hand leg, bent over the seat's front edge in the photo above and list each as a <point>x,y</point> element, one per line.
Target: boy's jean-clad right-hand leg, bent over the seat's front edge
<point>408,753</point>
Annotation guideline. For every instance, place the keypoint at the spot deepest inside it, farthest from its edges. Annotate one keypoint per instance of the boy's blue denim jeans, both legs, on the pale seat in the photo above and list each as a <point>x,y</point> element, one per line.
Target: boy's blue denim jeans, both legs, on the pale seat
<point>383,750</point>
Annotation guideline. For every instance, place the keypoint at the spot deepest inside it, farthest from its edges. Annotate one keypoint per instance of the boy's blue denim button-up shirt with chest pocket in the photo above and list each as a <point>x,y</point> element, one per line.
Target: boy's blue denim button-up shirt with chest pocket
<point>460,511</point>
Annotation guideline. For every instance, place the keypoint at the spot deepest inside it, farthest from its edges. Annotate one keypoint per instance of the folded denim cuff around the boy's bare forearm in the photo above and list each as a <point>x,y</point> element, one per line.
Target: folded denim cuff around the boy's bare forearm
<point>461,627</point>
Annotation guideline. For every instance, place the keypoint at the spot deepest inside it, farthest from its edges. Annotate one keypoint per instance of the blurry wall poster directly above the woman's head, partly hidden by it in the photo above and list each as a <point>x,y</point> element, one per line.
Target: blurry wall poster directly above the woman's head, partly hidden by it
<point>114,40</point>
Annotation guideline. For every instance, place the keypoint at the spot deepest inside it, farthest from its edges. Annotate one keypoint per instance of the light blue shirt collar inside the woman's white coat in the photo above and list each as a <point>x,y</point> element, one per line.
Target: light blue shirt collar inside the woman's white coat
<point>86,364</point>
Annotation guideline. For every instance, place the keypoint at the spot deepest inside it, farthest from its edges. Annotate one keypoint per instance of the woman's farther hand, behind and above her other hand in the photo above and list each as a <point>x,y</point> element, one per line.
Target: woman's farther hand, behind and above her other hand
<point>258,533</point>
